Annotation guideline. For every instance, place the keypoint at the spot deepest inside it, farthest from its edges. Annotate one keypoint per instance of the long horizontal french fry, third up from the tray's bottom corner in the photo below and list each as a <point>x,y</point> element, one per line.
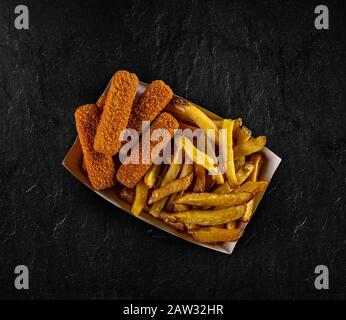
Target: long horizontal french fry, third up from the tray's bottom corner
<point>214,199</point>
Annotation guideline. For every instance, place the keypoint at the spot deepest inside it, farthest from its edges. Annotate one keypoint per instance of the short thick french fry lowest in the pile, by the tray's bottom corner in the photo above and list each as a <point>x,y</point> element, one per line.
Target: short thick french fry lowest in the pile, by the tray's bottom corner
<point>213,234</point>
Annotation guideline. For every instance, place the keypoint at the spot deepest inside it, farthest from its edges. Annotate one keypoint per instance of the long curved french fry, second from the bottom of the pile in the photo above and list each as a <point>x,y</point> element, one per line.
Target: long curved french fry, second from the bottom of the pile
<point>208,217</point>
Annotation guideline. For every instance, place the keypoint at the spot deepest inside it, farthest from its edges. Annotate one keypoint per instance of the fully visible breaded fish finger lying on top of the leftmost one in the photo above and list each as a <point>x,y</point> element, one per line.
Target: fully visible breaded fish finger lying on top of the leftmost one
<point>116,112</point>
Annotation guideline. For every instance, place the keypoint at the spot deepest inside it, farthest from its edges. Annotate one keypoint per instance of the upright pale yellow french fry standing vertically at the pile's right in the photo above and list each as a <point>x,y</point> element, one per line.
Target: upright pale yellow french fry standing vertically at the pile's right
<point>227,144</point>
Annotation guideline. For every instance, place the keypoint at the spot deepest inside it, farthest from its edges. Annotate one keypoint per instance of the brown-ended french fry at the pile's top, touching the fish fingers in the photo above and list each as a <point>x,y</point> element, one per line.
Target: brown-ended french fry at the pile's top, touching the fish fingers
<point>186,111</point>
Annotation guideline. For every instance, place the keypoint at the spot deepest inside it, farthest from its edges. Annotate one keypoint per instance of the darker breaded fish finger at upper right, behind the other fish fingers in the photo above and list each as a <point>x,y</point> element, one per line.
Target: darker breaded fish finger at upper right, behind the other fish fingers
<point>150,104</point>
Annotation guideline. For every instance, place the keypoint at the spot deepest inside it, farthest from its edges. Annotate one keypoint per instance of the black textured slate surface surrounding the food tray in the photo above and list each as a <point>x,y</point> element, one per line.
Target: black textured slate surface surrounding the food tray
<point>263,61</point>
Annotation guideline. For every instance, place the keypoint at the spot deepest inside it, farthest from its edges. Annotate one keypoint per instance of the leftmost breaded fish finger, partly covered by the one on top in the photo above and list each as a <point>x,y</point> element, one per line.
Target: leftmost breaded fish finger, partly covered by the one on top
<point>99,167</point>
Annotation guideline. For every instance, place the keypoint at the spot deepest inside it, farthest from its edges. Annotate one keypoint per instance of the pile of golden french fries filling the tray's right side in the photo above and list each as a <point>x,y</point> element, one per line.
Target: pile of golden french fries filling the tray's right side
<point>193,197</point>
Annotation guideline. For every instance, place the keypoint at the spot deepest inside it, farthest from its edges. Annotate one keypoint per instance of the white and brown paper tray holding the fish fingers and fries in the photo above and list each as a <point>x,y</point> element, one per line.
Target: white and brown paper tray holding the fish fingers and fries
<point>73,160</point>
